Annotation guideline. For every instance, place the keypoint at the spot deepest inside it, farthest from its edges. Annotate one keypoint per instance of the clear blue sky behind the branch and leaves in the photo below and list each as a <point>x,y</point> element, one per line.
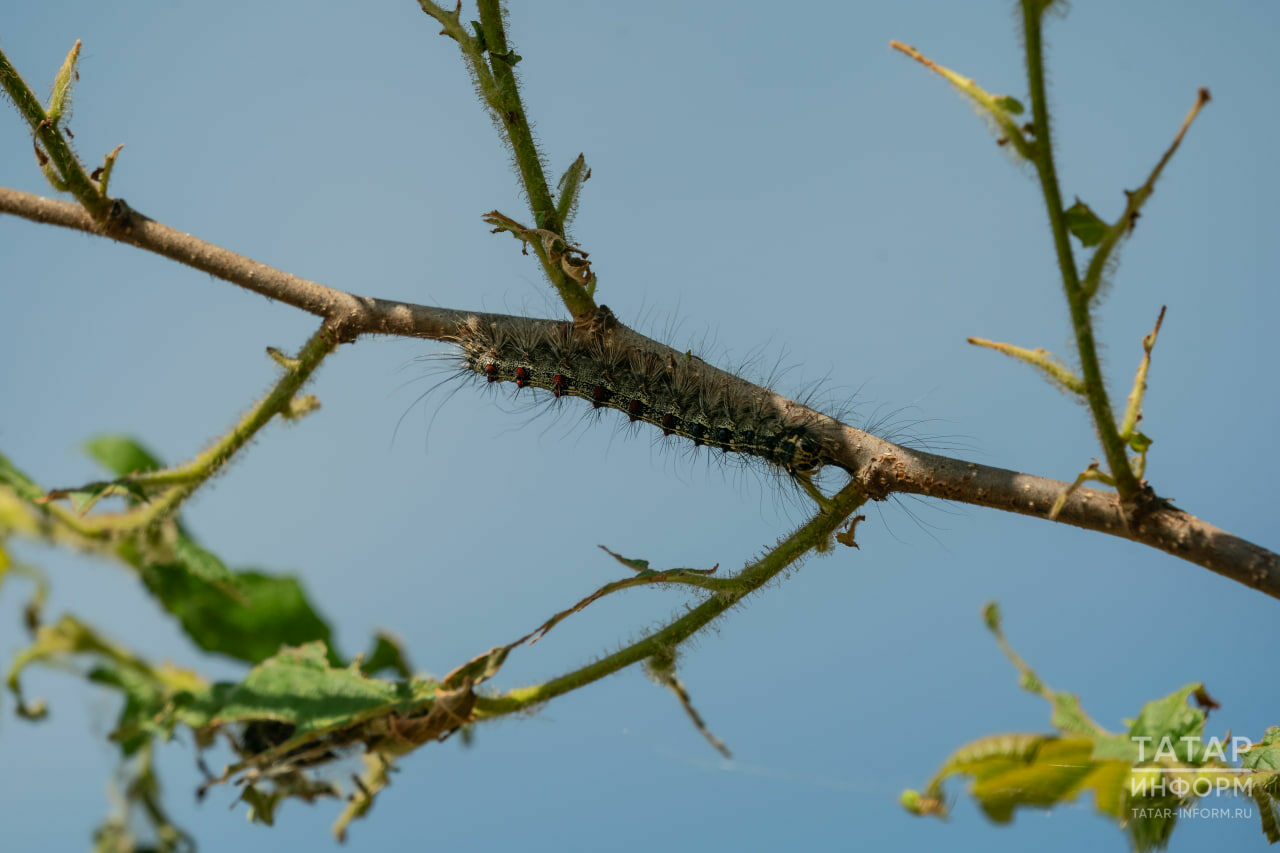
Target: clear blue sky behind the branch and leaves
<point>769,184</point>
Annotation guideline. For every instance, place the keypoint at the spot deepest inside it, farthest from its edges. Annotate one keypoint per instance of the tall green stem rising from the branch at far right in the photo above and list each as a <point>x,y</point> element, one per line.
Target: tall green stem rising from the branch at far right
<point>1078,302</point>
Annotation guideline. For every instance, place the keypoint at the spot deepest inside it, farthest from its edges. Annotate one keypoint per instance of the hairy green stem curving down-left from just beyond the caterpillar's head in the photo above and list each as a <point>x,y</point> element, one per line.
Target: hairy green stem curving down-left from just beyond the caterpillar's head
<point>815,535</point>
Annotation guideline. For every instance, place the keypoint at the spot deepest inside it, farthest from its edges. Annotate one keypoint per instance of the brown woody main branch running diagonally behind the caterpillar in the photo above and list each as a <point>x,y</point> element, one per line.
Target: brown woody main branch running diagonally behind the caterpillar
<point>880,466</point>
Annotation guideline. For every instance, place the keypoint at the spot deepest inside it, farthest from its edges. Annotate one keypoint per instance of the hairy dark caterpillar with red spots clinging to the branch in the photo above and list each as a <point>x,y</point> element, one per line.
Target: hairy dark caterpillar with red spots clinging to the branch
<point>666,390</point>
